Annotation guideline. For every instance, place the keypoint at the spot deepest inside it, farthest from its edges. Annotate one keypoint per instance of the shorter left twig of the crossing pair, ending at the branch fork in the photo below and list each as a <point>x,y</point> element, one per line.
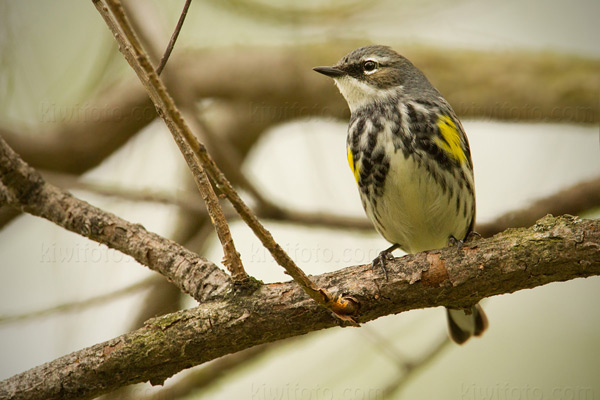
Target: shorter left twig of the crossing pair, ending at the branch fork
<point>138,59</point>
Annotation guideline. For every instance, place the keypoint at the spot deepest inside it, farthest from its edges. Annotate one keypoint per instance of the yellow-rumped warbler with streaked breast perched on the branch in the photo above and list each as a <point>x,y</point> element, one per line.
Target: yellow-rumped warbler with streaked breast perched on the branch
<point>411,160</point>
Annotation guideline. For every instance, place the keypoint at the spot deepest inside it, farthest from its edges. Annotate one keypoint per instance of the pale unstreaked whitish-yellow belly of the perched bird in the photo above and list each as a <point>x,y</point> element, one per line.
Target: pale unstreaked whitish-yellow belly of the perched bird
<point>418,212</point>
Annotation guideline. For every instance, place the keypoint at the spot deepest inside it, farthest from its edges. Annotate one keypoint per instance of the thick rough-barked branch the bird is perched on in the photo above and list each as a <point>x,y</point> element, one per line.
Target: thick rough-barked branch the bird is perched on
<point>553,250</point>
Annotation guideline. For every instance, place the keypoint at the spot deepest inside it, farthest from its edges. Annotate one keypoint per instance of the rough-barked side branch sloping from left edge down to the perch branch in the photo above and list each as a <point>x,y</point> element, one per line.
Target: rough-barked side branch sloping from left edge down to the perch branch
<point>26,189</point>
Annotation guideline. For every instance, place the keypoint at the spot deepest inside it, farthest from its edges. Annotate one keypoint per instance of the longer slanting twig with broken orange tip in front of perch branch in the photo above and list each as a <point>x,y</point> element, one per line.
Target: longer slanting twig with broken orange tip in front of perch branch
<point>138,59</point>
